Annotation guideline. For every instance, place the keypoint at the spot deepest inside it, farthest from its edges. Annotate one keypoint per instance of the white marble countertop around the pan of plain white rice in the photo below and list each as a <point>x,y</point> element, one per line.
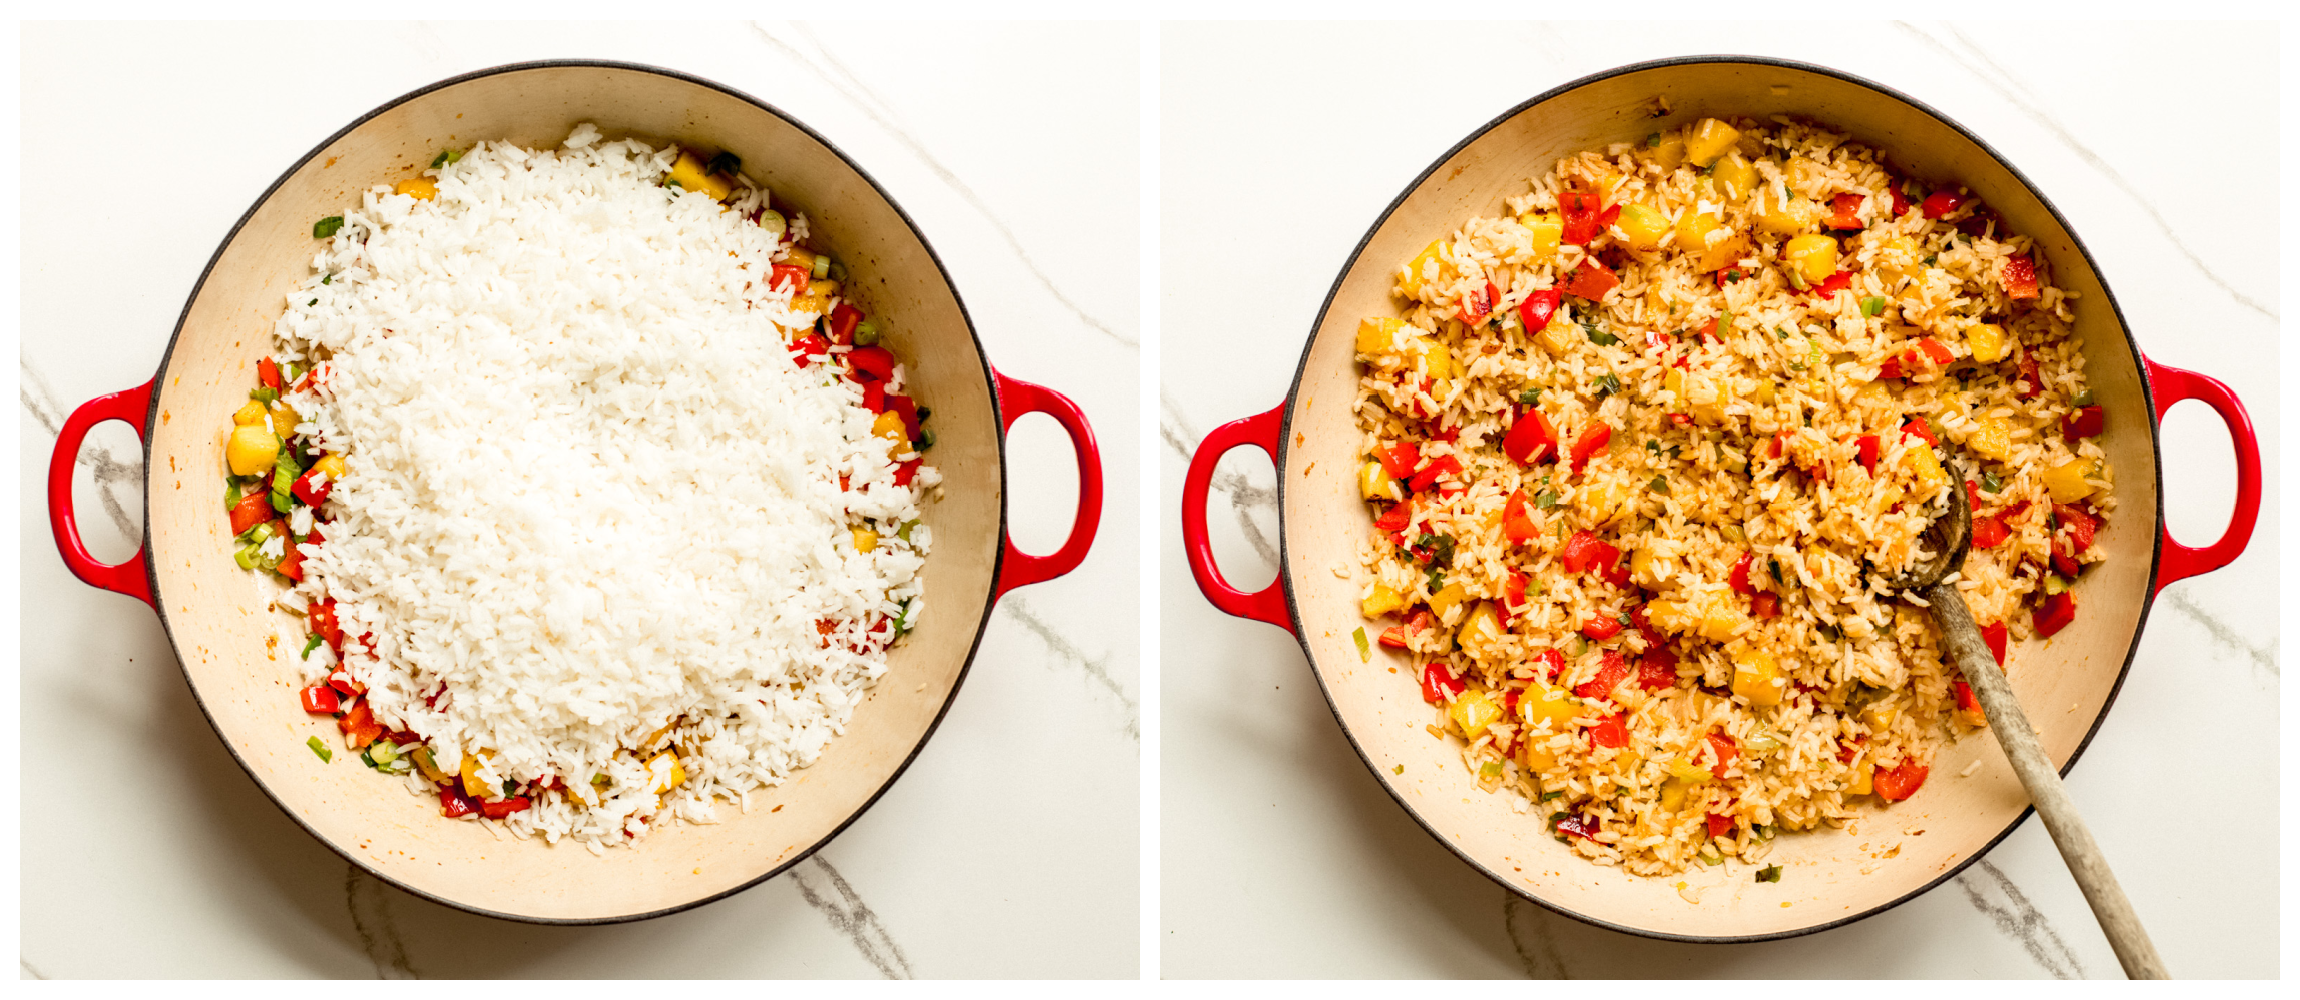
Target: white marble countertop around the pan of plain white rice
<point>1011,845</point>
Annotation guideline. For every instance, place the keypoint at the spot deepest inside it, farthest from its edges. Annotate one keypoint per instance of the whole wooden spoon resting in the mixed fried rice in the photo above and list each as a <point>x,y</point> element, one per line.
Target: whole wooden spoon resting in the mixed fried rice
<point>1952,537</point>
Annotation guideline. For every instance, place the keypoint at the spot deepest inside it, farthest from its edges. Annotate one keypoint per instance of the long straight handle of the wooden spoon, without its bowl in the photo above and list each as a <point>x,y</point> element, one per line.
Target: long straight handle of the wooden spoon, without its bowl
<point>2044,783</point>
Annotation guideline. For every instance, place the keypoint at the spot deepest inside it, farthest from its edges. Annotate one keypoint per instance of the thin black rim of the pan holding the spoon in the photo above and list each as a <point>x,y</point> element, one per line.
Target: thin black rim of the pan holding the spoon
<point>2124,330</point>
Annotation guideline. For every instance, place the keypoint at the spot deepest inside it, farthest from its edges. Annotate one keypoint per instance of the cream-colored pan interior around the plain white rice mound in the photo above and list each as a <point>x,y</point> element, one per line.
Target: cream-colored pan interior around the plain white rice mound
<point>238,652</point>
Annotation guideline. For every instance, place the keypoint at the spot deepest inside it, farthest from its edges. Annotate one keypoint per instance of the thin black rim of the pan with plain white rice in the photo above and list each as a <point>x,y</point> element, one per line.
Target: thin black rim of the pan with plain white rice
<point>949,284</point>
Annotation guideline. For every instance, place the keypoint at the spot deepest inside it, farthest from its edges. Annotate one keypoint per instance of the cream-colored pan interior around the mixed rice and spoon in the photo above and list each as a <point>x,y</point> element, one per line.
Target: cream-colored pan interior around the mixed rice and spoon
<point>1834,875</point>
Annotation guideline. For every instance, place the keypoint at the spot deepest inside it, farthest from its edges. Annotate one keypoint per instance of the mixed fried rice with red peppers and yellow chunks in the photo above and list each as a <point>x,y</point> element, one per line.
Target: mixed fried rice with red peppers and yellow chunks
<point>1646,449</point>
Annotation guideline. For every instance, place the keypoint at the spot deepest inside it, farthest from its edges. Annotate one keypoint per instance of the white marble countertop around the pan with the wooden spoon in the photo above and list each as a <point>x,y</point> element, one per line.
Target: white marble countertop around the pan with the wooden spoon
<point>1282,144</point>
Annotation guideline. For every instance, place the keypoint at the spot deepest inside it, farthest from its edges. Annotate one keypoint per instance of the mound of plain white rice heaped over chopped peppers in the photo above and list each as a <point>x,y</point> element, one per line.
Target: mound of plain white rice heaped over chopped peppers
<point>595,509</point>
